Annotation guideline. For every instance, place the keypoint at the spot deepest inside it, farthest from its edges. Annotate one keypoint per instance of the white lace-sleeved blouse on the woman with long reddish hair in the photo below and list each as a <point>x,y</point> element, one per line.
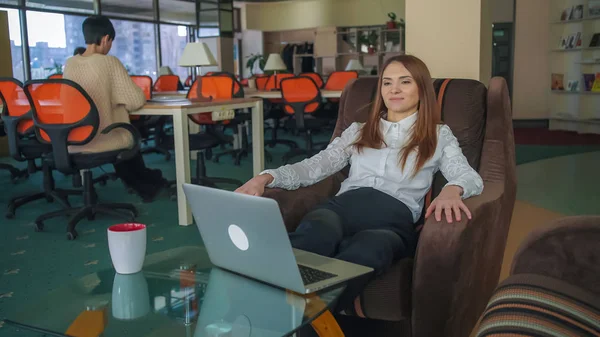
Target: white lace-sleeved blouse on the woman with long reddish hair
<point>380,169</point>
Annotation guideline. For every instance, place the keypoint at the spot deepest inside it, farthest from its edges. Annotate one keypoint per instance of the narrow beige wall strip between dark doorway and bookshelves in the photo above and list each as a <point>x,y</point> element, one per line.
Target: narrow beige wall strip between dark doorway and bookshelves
<point>531,63</point>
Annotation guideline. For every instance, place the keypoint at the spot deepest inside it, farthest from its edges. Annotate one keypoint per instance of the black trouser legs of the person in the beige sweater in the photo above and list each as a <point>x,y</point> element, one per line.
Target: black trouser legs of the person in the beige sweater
<point>134,173</point>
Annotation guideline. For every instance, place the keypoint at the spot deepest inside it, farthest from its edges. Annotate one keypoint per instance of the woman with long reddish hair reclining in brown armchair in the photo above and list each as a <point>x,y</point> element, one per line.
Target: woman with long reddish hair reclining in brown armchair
<point>393,157</point>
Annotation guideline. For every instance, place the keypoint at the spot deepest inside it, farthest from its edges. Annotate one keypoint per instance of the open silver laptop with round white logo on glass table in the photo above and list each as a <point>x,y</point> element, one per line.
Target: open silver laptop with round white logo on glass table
<point>246,234</point>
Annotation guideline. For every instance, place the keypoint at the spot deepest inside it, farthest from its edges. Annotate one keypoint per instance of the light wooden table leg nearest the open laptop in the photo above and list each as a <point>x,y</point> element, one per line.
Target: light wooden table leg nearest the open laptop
<point>182,165</point>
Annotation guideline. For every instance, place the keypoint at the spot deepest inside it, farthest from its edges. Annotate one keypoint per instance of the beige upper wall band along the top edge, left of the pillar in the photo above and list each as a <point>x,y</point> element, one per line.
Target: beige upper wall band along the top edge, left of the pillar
<point>288,15</point>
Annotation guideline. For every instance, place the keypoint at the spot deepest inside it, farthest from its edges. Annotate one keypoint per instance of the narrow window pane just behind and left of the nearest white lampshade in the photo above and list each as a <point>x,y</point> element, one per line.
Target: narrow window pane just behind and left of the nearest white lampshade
<point>172,42</point>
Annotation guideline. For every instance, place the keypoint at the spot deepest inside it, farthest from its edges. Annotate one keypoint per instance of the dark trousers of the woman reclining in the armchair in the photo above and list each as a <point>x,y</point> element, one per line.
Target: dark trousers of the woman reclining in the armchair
<point>362,226</point>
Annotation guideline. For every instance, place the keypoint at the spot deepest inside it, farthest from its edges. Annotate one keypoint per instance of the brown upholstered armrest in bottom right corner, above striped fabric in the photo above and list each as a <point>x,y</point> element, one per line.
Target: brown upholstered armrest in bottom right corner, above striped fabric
<point>566,250</point>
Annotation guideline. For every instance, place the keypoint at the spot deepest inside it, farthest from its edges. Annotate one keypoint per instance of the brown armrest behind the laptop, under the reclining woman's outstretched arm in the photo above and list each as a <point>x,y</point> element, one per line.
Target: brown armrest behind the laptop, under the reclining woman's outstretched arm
<point>295,204</point>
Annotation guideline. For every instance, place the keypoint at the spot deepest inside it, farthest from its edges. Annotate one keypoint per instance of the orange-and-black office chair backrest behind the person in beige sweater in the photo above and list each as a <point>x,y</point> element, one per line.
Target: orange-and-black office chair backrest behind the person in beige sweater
<point>63,114</point>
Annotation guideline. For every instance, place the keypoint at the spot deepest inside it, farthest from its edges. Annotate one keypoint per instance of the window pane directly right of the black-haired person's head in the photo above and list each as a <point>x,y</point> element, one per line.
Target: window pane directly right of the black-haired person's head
<point>135,46</point>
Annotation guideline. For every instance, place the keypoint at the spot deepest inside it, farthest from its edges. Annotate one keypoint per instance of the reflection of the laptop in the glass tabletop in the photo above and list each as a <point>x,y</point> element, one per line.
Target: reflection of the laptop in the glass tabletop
<point>235,305</point>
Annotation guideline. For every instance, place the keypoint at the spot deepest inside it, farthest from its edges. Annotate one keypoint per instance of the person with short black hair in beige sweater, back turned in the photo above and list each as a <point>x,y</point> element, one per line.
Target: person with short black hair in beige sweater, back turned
<point>105,79</point>
